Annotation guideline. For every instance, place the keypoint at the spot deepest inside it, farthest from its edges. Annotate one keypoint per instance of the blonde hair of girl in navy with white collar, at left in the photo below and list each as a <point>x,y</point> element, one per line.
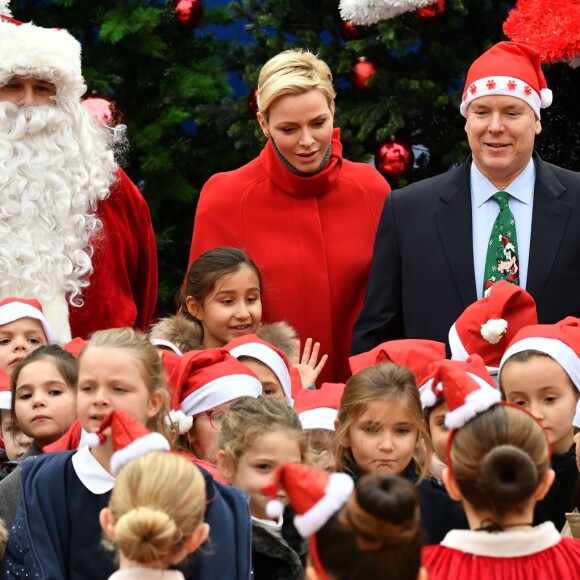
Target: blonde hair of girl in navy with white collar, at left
<point>138,345</point>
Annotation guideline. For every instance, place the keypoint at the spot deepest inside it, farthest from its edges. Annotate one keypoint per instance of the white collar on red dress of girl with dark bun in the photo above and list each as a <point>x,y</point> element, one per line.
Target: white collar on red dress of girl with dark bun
<point>514,544</point>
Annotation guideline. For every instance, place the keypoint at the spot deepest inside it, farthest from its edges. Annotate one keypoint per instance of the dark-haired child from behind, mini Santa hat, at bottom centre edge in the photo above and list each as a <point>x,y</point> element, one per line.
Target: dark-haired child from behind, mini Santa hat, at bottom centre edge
<point>371,531</point>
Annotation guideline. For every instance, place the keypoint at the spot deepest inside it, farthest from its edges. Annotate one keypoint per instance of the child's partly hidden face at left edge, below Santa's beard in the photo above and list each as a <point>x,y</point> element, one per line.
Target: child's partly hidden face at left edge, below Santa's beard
<point>17,339</point>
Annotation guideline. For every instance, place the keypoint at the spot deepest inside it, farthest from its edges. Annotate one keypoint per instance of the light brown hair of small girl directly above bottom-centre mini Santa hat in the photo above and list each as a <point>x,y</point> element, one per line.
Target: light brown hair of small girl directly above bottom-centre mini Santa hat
<point>250,418</point>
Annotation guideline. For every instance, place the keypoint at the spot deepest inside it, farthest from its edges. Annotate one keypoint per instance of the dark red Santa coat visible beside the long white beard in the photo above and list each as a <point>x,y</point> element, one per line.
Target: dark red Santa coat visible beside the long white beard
<point>123,285</point>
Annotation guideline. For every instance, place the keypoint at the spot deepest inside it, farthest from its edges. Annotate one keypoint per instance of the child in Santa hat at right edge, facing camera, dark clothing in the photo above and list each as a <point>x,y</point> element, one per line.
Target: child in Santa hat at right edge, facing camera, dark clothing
<point>540,370</point>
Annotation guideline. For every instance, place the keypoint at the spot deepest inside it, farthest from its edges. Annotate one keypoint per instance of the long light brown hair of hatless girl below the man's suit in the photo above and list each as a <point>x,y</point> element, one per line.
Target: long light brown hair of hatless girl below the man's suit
<point>382,382</point>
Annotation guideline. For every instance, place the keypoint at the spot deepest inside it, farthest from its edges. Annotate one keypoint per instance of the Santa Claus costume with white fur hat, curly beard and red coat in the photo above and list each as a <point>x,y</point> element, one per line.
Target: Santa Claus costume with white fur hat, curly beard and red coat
<point>75,232</point>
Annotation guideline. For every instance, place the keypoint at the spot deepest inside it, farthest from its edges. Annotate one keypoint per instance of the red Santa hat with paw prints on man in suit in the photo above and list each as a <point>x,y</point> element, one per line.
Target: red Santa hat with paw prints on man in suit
<point>508,68</point>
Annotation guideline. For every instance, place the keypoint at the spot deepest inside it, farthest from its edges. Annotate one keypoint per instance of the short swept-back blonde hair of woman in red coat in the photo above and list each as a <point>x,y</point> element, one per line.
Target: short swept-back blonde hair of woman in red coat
<point>290,73</point>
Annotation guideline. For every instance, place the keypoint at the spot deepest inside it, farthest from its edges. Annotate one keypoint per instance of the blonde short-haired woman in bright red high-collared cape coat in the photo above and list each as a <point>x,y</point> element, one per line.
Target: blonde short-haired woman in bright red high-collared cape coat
<point>305,215</point>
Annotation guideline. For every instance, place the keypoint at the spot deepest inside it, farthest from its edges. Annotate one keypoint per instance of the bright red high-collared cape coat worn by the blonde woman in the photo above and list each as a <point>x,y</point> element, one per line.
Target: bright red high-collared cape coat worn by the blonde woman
<point>312,238</point>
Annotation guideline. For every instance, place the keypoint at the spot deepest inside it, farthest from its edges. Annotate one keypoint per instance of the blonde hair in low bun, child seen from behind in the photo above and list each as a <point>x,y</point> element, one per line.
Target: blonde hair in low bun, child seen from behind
<point>156,505</point>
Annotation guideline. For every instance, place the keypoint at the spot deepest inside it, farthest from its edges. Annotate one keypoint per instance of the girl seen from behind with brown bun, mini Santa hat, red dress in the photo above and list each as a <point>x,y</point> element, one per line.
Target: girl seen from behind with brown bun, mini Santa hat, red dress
<point>498,459</point>
